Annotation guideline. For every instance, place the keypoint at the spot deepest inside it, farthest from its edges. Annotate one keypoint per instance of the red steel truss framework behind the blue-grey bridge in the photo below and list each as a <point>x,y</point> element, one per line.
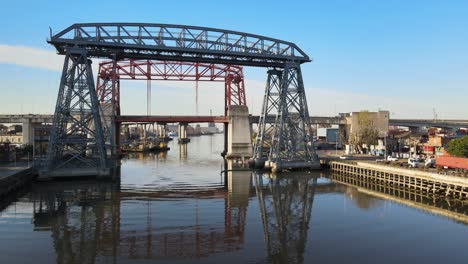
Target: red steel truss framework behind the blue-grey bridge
<point>169,71</point>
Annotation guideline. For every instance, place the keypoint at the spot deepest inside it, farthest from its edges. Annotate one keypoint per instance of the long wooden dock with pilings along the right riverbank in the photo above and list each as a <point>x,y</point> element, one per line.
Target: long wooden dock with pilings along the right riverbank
<point>421,181</point>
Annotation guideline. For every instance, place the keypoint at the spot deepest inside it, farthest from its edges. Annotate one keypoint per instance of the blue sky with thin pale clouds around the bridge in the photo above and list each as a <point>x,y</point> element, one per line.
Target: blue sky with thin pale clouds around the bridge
<point>405,56</point>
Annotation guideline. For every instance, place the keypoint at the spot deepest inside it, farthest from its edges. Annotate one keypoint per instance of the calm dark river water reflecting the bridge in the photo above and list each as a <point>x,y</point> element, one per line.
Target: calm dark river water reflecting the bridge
<point>179,208</point>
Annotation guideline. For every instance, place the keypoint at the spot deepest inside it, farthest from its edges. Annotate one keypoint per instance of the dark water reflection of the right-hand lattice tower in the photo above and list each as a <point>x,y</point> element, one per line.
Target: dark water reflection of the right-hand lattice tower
<point>286,215</point>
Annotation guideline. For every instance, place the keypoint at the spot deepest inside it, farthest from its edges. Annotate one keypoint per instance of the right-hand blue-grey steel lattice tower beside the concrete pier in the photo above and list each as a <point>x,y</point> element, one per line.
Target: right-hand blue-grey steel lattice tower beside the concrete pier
<point>288,142</point>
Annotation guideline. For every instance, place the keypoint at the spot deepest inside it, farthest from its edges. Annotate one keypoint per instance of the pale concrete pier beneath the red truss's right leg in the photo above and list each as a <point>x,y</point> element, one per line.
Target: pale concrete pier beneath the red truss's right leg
<point>239,137</point>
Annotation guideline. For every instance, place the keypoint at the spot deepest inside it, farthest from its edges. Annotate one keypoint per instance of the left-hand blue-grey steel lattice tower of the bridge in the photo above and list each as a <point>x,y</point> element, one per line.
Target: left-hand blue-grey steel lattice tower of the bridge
<point>77,136</point>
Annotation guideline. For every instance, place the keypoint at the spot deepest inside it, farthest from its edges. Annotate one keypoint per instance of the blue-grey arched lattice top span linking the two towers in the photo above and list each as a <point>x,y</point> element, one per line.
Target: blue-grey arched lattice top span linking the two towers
<point>177,43</point>
